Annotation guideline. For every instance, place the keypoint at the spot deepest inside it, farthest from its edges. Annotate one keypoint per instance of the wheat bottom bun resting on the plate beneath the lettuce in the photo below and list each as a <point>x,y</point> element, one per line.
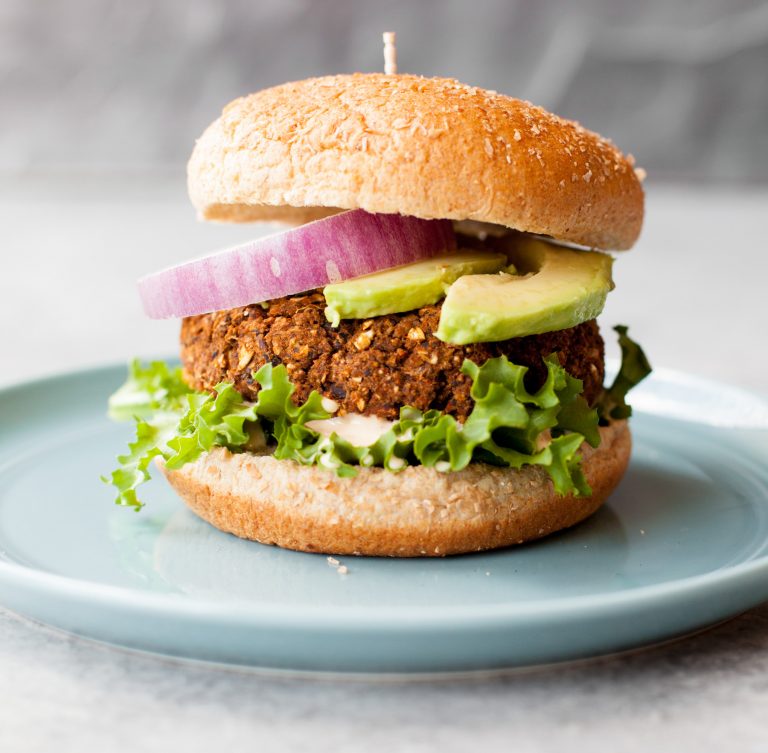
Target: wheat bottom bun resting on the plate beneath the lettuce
<point>416,512</point>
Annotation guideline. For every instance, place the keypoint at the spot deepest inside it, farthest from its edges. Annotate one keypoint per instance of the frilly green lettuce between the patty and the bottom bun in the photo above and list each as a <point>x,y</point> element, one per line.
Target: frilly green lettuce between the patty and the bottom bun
<point>508,426</point>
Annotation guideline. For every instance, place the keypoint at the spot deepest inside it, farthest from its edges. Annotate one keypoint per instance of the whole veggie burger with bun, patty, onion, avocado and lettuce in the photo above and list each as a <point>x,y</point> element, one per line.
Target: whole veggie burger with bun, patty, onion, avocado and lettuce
<point>413,368</point>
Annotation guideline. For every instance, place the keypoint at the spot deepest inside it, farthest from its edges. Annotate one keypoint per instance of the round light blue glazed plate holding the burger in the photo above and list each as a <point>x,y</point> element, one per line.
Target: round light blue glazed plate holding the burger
<point>682,544</point>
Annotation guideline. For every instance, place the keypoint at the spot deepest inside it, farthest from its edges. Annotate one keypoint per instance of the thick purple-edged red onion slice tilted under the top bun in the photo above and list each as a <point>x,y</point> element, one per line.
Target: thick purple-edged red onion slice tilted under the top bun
<point>311,256</point>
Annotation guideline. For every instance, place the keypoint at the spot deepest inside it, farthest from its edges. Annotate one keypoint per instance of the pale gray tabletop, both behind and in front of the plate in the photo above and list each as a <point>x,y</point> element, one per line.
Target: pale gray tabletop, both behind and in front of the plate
<point>694,295</point>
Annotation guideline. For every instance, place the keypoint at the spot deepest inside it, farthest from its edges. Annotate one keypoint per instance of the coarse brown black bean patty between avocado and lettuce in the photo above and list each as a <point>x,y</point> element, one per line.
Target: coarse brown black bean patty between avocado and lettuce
<point>370,366</point>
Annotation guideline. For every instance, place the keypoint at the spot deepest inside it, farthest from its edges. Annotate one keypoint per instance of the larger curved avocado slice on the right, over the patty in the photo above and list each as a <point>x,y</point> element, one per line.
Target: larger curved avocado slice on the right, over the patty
<point>556,288</point>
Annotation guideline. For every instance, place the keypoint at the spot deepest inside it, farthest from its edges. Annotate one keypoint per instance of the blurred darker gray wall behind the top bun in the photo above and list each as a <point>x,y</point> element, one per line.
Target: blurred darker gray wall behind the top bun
<point>126,85</point>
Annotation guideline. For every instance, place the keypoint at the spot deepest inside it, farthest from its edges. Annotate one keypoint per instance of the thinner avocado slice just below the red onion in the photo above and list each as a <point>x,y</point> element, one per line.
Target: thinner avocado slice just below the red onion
<point>408,287</point>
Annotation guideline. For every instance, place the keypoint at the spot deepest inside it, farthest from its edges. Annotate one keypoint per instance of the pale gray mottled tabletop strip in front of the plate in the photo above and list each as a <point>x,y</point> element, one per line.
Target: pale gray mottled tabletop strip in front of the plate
<point>706,693</point>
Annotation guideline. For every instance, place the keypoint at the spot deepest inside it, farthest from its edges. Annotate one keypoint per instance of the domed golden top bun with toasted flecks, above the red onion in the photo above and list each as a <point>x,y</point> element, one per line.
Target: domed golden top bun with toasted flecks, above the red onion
<point>427,147</point>
